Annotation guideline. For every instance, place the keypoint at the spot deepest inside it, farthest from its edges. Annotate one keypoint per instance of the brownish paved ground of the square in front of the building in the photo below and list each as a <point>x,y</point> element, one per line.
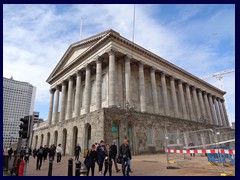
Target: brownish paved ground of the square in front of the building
<point>142,165</point>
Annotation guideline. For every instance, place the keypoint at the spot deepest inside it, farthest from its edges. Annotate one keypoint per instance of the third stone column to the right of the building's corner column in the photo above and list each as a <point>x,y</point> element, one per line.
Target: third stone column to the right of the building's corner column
<point>154,91</point>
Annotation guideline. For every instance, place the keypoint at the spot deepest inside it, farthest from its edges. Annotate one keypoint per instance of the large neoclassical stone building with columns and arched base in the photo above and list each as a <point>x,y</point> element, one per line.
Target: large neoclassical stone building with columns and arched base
<point>107,87</point>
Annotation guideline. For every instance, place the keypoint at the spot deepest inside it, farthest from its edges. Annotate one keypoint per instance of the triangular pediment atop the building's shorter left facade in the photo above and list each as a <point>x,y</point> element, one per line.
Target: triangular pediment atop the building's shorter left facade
<point>75,50</point>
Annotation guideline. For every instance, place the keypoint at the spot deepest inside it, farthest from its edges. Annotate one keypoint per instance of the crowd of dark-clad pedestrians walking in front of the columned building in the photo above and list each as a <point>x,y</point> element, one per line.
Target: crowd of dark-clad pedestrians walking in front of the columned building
<point>102,154</point>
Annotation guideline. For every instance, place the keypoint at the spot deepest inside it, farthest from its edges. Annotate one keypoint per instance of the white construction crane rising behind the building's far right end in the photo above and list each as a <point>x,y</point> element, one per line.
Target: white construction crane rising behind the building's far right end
<point>219,77</point>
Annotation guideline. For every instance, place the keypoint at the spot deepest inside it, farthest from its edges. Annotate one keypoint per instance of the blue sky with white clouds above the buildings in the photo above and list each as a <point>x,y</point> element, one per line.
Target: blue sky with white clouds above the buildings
<point>197,38</point>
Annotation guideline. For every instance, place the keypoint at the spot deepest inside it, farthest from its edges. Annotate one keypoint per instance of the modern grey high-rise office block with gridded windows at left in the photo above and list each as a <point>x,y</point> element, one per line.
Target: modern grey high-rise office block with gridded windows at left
<point>18,101</point>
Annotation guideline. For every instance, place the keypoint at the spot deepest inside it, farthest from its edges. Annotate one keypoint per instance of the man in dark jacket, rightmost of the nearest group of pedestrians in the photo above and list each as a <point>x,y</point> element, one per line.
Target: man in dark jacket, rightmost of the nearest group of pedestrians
<point>125,154</point>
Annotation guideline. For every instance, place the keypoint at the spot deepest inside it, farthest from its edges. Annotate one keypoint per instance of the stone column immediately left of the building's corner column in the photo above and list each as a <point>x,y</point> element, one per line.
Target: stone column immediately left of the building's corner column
<point>98,83</point>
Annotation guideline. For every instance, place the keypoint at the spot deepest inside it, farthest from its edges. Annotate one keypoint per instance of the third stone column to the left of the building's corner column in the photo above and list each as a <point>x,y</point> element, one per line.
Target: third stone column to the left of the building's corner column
<point>78,93</point>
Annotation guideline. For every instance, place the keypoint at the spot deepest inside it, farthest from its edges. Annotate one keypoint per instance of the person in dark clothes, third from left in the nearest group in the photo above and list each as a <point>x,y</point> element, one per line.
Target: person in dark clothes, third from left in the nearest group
<point>108,160</point>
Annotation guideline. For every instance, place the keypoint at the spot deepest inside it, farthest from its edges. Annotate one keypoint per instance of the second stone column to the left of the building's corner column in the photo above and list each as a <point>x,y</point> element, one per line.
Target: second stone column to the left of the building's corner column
<point>87,94</point>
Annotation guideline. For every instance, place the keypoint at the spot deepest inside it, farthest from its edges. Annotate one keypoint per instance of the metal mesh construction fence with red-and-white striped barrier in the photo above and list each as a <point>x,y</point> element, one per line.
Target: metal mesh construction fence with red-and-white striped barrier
<point>205,150</point>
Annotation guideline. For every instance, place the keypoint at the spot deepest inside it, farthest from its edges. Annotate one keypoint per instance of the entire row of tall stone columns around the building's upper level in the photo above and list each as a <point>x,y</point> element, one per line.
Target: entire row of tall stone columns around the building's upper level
<point>205,104</point>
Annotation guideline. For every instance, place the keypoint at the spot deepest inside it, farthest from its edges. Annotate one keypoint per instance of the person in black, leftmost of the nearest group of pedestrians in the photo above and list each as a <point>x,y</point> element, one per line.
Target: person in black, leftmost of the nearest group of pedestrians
<point>91,159</point>
